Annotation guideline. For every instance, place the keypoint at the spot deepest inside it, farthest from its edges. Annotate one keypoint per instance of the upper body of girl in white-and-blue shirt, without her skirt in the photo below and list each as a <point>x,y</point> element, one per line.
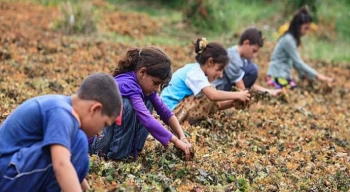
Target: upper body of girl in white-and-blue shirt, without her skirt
<point>195,78</point>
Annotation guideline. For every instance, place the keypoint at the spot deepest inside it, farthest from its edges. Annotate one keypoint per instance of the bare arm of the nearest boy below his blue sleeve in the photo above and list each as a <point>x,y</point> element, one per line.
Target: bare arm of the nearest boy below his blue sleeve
<point>64,171</point>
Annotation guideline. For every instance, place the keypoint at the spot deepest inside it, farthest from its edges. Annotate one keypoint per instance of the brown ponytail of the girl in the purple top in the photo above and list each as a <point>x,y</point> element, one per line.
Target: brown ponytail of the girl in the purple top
<point>128,63</point>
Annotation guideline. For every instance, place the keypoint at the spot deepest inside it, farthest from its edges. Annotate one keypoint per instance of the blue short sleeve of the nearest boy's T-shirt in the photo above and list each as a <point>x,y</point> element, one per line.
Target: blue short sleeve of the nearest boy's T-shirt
<point>59,127</point>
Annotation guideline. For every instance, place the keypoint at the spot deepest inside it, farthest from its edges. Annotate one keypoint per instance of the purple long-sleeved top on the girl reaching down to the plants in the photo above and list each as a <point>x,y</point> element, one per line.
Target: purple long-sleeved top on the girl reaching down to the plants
<point>130,88</point>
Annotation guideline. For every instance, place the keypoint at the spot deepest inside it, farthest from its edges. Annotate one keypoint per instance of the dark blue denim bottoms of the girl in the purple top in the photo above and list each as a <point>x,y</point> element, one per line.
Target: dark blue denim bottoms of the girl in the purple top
<point>118,142</point>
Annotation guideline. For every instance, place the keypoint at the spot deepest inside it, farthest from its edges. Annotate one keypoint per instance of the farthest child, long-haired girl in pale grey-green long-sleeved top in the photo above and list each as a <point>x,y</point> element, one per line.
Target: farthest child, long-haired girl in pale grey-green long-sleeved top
<point>285,55</point>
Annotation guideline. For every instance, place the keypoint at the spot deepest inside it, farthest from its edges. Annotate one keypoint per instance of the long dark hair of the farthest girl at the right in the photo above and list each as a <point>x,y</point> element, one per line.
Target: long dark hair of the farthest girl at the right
<point>300,18</point>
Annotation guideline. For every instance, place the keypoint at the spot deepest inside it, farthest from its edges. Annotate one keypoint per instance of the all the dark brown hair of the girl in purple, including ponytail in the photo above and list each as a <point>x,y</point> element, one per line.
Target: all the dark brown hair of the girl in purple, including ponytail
<point>157,62</point>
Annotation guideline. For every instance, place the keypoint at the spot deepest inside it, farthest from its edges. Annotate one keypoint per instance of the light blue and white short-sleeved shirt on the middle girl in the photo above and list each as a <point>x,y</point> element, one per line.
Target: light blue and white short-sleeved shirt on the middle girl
<point>186,81</point>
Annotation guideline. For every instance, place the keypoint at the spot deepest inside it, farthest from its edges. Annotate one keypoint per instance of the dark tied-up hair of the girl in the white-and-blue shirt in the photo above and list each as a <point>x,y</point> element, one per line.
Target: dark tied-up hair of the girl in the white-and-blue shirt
<point>214,50</point>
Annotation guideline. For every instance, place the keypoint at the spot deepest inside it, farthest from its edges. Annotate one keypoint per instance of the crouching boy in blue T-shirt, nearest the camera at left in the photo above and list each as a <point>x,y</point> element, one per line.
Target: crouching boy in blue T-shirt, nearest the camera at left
<point>43,143</point>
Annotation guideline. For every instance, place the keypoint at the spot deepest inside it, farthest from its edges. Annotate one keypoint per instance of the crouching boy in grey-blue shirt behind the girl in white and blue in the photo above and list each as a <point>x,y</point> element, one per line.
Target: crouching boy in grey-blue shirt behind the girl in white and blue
<point>241,72</point>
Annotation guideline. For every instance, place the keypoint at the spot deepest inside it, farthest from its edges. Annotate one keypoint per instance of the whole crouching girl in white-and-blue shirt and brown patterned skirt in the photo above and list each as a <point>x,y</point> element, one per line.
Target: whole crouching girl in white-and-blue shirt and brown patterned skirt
<point>190,83</point>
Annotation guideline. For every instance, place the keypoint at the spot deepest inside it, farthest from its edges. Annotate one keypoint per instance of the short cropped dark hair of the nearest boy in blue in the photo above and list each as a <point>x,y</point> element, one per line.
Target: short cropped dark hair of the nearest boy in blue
<point>101,87</point>
